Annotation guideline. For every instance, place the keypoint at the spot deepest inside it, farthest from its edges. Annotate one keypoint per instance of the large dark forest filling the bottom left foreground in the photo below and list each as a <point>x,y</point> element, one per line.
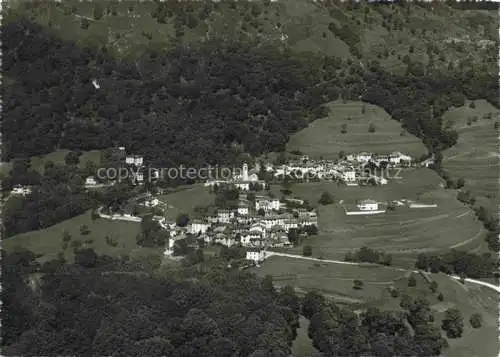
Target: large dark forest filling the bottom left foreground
<point>96,307</point>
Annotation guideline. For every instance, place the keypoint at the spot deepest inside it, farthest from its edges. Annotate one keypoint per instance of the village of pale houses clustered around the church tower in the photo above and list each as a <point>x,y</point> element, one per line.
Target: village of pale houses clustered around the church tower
<point>257,220</point>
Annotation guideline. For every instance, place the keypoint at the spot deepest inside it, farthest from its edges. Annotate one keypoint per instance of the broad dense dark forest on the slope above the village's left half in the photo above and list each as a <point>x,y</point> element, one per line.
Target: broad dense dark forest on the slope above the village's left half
<point>189,106</point>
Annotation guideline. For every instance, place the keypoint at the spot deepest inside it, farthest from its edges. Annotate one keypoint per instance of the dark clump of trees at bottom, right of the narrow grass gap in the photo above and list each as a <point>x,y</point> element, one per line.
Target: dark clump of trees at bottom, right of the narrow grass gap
<point>339,332</point>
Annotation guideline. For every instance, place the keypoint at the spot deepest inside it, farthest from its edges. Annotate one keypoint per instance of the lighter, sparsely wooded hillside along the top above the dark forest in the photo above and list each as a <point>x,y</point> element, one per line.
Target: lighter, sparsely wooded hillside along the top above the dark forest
<point>435,34</point>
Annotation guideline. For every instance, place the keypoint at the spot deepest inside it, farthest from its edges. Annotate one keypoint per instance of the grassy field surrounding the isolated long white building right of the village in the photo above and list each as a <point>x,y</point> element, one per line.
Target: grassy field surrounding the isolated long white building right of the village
<point>405,232</point>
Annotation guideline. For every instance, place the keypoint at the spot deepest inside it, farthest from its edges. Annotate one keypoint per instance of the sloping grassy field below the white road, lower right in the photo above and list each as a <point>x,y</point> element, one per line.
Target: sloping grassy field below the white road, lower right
<point>336,281</point>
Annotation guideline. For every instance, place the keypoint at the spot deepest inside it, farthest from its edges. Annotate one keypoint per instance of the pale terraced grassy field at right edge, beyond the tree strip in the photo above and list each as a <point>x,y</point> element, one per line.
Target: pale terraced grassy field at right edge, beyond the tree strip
<point>475,157</point>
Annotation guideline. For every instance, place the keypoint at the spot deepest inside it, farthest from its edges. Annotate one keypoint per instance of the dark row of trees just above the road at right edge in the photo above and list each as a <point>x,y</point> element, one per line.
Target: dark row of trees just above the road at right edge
<point>459,263</point>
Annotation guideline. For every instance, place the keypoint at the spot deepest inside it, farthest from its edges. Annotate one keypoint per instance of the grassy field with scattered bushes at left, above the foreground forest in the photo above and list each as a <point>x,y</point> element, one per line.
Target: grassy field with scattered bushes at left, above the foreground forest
<point>48,241</point>
